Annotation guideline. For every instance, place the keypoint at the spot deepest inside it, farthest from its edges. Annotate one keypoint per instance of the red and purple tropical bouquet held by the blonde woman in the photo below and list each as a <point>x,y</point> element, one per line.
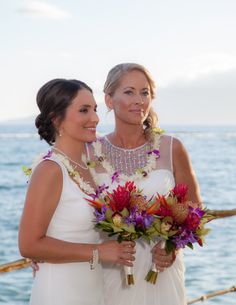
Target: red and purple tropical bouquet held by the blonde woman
<point>178,222</point>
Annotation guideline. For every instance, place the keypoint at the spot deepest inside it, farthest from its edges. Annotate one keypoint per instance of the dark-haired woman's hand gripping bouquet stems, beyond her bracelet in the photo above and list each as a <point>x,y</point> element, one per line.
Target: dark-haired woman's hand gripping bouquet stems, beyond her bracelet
<point>115,252</point>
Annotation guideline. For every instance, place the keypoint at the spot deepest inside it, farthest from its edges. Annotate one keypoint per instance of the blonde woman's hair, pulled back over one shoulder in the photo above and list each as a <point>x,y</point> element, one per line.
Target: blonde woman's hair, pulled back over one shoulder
<point>113,81</point>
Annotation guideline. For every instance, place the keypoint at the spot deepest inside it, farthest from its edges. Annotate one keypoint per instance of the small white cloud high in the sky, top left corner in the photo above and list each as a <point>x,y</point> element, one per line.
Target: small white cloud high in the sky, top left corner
<point>44,10</point>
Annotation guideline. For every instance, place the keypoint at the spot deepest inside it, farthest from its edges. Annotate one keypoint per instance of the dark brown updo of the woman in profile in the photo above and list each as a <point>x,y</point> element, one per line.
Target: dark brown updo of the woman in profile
<point>53,99</point>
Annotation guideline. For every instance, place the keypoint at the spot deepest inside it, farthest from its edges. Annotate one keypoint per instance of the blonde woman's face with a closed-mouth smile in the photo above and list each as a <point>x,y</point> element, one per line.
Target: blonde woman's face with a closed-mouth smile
<point>131,101</point>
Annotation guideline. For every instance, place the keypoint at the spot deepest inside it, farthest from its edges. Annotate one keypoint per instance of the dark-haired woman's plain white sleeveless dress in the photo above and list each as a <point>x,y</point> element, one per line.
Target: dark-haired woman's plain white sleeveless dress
<point>69,283</point>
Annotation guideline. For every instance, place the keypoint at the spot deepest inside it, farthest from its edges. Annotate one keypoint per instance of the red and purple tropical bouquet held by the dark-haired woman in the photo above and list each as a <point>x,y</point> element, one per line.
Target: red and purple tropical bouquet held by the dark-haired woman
<point>124,212</point>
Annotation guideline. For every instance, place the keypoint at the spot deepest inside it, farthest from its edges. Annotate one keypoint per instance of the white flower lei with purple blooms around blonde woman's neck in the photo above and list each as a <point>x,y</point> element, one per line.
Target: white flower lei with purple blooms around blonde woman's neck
<point>153,155</point>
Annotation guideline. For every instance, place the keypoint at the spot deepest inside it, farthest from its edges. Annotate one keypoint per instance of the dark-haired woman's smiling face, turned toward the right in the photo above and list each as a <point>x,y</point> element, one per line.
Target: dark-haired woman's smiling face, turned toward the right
<point>81,118</point>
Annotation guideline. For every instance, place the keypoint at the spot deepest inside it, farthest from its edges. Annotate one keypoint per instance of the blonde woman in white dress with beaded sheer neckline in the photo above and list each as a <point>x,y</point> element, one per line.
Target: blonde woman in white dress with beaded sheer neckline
<point>129,91</point>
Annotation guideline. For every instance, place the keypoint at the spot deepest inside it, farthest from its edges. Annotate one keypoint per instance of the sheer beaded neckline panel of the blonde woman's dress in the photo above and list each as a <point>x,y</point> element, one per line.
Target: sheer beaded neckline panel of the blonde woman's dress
<point>126,161</point>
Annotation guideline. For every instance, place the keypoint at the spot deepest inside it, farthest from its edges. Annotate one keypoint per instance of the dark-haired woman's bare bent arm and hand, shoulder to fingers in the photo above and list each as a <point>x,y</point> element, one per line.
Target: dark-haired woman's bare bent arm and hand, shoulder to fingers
<point>42,198</point>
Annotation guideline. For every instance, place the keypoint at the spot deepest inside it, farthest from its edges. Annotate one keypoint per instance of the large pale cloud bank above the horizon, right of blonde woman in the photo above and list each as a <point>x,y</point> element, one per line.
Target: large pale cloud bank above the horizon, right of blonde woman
<point>208,99</point>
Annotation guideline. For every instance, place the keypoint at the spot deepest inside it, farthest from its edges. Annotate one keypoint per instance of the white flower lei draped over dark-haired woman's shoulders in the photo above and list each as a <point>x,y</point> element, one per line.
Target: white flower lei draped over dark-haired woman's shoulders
<point>74,174</point>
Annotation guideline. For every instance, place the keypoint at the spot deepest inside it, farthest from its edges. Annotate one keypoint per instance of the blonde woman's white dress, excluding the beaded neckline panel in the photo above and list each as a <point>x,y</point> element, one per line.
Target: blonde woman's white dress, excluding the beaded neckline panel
<point>169,289</point>
